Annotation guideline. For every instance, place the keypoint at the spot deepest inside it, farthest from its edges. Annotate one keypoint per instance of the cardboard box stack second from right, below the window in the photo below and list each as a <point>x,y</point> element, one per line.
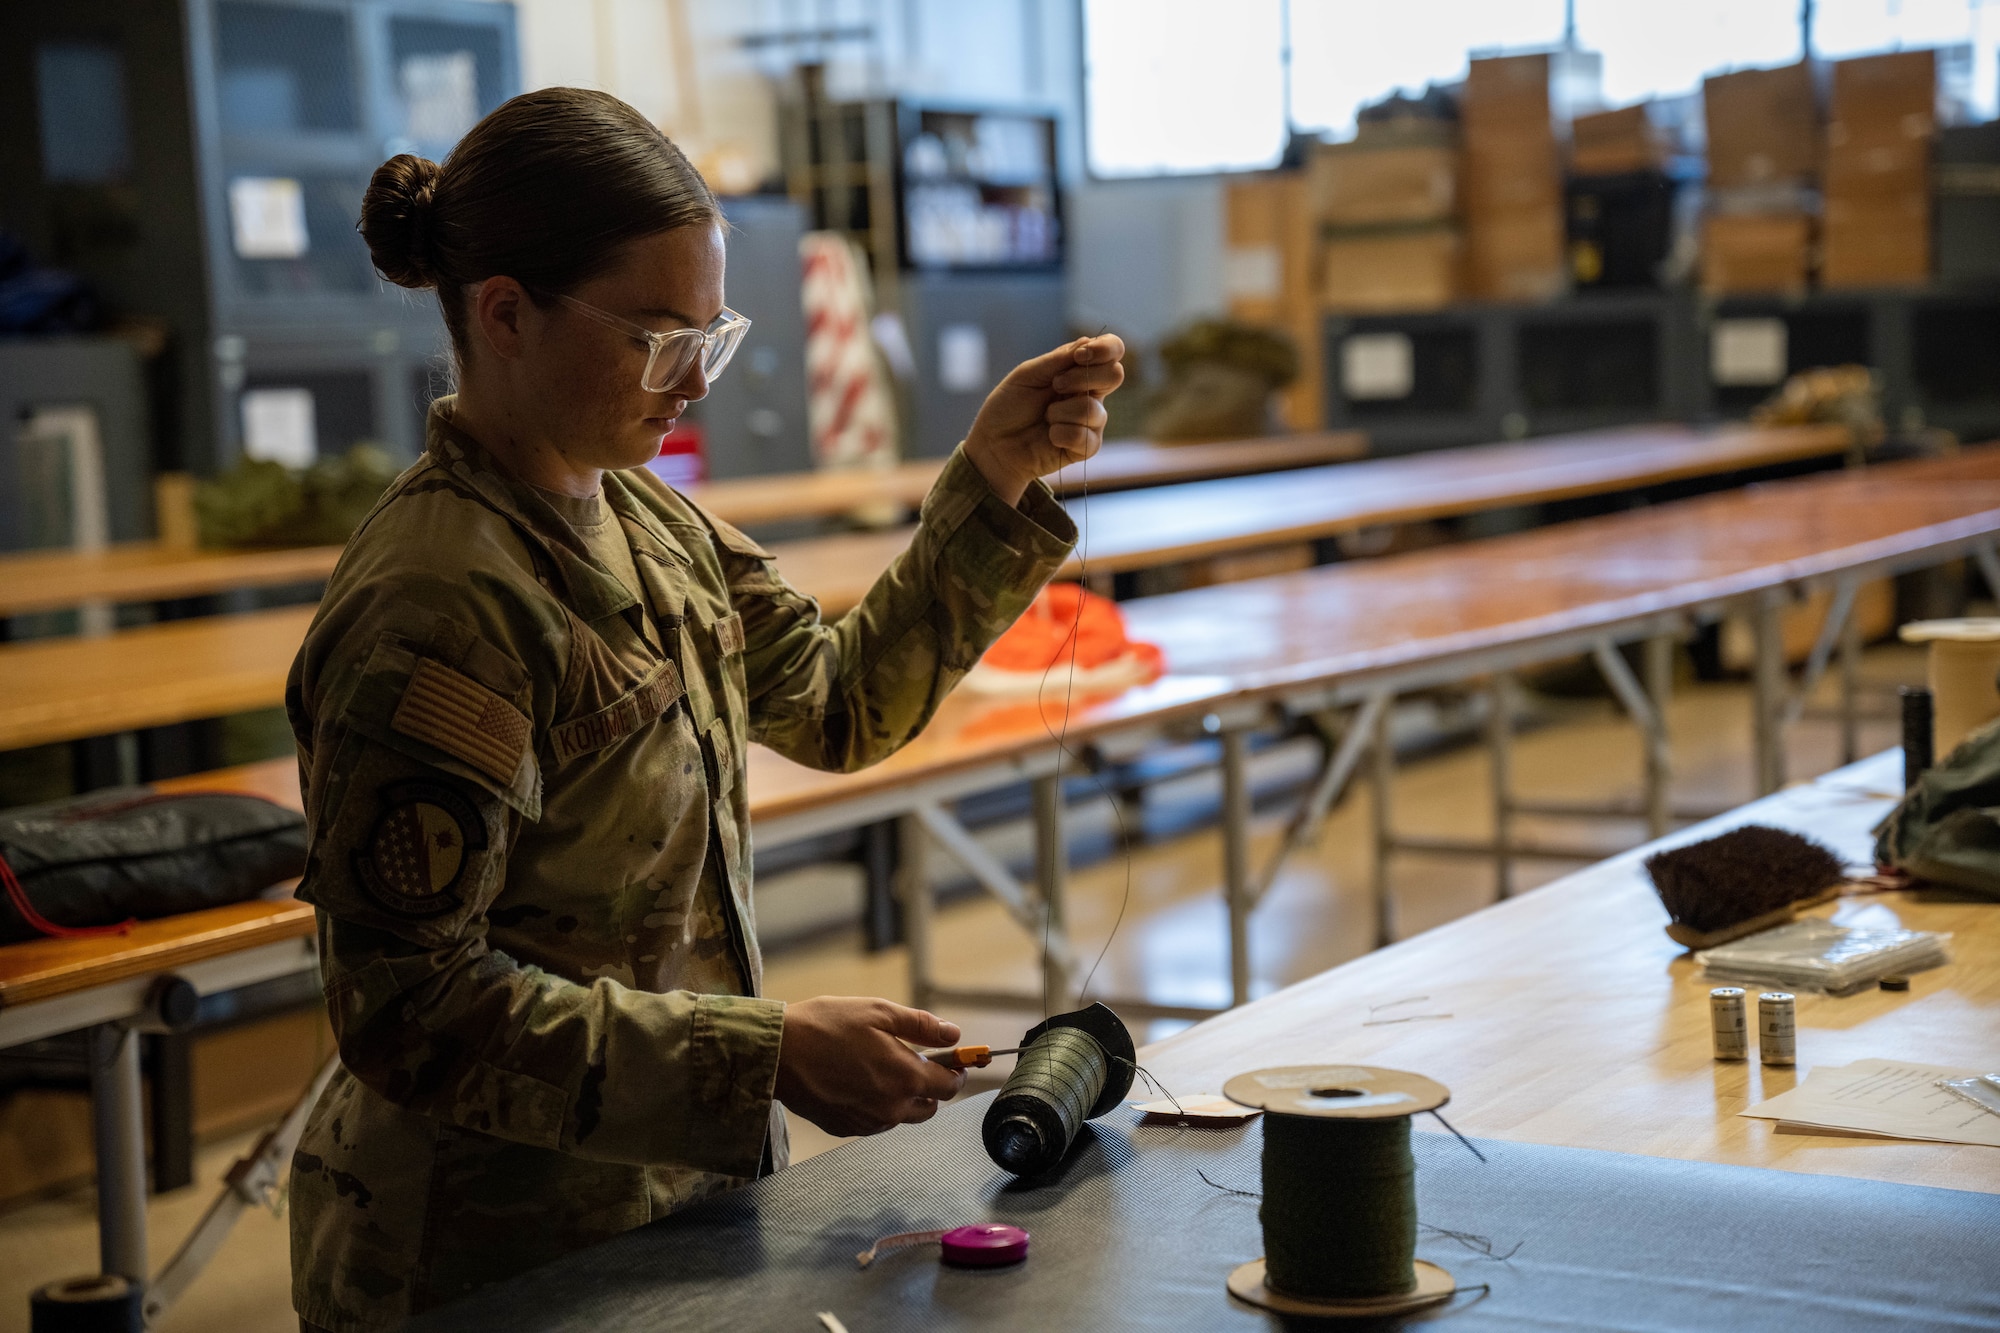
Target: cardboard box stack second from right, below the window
<point>1763,177</point>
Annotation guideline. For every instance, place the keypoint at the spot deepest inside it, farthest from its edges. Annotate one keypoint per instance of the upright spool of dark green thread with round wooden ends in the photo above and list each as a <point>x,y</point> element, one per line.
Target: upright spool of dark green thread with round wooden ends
<point>1339,1192</point>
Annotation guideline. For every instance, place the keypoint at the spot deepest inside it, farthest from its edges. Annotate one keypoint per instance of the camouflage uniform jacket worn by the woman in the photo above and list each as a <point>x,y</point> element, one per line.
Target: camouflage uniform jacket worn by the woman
<point>531,854</point>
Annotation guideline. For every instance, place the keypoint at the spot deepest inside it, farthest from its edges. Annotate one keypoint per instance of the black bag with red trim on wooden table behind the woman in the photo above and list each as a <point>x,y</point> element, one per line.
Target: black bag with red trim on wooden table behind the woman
<point>95,864</point>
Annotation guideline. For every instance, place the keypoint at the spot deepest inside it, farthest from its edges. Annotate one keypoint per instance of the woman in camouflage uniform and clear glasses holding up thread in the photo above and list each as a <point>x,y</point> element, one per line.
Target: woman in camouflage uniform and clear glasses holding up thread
<point>523,714</point>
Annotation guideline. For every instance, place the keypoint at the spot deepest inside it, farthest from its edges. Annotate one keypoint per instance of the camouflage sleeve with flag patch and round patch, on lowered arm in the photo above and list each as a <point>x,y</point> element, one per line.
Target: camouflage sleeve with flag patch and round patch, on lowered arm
<point>417,718</point>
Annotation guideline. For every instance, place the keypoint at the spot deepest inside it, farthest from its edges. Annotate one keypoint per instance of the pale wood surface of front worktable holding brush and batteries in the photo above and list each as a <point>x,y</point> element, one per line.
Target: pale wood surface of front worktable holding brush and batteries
<point>1575,1022</point>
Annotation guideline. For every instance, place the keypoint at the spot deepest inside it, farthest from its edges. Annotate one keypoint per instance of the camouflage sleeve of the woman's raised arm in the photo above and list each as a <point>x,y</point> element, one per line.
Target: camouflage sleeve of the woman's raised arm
<point>849,694</point>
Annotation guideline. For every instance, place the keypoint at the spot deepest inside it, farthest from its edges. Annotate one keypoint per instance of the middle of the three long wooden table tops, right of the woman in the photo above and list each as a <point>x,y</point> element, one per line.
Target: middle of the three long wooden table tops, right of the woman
<point>1243,513</point>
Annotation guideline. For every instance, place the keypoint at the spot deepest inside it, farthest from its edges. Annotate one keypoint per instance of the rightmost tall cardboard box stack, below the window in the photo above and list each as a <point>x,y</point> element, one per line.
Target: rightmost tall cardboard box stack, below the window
<point>1879,171</point>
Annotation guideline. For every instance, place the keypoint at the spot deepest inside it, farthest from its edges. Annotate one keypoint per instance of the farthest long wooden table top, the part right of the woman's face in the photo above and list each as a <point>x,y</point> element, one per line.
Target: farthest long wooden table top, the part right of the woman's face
<point>1121,465</point>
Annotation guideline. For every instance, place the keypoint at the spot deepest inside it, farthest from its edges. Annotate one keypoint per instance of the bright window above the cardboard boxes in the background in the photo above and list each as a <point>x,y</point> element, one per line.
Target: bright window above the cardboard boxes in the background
<point>1179,87</point>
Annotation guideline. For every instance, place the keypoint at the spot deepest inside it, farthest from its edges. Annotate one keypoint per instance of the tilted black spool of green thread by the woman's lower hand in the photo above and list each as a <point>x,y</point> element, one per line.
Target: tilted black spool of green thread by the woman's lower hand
<point>1071,1070</point>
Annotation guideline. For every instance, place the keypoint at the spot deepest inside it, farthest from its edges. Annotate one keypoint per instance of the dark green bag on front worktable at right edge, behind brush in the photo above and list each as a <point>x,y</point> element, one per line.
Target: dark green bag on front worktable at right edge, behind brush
<point>1947,830</point>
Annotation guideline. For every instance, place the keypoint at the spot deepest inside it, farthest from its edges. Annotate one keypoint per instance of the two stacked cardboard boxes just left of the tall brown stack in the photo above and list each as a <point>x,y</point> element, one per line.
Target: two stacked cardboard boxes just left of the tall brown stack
<point>1387,213</point>
